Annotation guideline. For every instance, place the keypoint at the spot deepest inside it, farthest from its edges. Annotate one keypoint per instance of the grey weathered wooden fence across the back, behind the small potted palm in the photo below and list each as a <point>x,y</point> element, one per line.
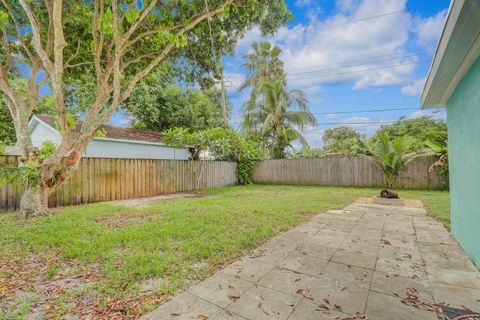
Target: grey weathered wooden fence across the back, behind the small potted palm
<point>345,171</point>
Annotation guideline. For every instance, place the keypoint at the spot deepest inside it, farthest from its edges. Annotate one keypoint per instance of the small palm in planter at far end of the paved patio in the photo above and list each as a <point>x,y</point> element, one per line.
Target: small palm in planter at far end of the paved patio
<point>392,156</point>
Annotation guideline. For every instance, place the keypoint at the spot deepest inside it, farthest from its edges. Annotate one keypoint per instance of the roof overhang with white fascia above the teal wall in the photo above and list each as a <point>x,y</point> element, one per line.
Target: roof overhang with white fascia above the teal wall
<point>457,51</point>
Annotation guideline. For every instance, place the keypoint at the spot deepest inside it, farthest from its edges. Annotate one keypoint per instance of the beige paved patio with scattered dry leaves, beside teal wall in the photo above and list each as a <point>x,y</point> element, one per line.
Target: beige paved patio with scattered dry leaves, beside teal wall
<point>380,261</point>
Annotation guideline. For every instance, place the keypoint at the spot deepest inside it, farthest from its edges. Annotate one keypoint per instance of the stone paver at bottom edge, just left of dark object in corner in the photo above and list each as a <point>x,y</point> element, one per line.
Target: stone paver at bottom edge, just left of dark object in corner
<point>385,307</point>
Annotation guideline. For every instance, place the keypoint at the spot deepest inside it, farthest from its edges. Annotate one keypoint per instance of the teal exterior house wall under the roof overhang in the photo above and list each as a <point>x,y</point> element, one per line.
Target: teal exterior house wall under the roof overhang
<point>463,117</point>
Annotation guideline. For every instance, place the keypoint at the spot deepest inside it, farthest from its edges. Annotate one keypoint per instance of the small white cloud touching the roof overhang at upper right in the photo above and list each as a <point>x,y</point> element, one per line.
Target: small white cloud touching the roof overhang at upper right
<point>428,30</point>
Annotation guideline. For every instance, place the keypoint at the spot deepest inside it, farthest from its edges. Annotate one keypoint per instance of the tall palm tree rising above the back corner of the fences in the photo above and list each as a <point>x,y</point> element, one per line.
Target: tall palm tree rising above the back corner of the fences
<point>283,113</point>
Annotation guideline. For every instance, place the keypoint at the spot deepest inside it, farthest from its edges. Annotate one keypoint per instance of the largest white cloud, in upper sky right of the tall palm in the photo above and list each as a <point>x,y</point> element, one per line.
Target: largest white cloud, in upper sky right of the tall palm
<point>339,50</point>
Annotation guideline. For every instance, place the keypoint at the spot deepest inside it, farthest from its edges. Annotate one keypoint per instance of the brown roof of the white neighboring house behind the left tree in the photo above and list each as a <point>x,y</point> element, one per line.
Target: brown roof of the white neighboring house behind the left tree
<point>111,132</point>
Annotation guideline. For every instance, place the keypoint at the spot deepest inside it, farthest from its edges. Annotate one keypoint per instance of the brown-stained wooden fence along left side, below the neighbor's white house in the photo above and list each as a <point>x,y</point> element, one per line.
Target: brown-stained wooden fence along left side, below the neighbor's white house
<point>101,179</point>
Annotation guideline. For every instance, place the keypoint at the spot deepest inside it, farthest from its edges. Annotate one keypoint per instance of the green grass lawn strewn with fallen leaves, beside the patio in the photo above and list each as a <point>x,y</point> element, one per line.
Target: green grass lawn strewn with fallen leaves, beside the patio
<point>109,251</point>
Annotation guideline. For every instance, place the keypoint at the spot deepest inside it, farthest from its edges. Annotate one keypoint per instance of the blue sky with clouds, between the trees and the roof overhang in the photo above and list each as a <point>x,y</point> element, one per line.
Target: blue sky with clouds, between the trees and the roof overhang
<point>349,56</point>
